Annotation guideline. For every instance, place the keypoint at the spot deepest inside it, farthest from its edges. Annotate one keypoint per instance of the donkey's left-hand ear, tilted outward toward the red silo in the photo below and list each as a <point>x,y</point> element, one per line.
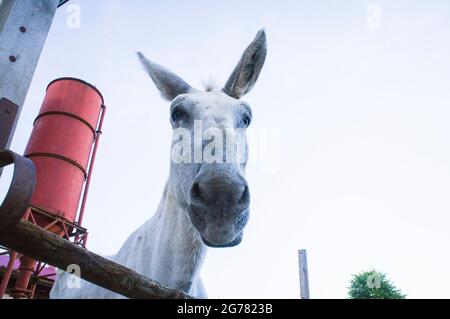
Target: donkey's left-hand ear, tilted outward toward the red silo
<point>169,84</point>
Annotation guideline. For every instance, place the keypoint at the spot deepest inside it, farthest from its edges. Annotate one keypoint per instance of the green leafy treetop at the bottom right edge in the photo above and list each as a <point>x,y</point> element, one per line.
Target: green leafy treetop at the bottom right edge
<point>373,285</point>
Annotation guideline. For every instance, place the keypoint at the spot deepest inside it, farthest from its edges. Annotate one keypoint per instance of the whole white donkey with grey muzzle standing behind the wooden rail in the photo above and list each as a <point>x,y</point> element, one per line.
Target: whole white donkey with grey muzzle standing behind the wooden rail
<point>203,204</point>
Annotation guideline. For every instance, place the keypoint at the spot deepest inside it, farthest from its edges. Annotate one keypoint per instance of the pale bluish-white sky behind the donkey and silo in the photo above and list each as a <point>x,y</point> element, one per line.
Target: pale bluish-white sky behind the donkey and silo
<point>359,93</point>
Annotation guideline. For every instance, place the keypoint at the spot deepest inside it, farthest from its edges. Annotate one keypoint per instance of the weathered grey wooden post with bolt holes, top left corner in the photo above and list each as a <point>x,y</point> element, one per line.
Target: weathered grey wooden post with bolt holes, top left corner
<point>24,25</point>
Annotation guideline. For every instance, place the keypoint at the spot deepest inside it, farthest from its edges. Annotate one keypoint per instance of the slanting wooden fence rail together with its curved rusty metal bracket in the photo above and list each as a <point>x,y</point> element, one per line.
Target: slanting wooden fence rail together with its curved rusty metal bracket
<point>31,240</point>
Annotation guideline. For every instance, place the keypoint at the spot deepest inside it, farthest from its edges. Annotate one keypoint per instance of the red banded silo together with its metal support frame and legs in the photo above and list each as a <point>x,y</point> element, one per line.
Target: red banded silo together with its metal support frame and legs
<point>62,146</point>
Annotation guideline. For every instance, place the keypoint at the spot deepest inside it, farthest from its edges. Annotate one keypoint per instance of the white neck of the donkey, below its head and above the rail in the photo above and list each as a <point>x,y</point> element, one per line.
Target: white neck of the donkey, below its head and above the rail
<point>178,251</point>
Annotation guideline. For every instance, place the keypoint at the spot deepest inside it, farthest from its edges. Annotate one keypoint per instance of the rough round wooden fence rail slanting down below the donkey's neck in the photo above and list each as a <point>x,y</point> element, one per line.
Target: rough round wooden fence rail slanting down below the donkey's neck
<point>42,245</point>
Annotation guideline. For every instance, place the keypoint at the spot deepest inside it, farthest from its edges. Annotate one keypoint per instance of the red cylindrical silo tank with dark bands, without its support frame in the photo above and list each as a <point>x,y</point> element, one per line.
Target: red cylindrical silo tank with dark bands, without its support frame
<point>60,146</point>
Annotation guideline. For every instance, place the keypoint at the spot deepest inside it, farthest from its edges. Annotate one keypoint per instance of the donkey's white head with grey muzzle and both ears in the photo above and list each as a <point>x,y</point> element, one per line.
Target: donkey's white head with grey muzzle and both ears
<point>209,146</point>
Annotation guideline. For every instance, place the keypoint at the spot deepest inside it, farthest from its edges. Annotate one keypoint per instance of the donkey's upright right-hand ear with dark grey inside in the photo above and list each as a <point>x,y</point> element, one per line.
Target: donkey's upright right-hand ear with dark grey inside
<point>246,72</point>
